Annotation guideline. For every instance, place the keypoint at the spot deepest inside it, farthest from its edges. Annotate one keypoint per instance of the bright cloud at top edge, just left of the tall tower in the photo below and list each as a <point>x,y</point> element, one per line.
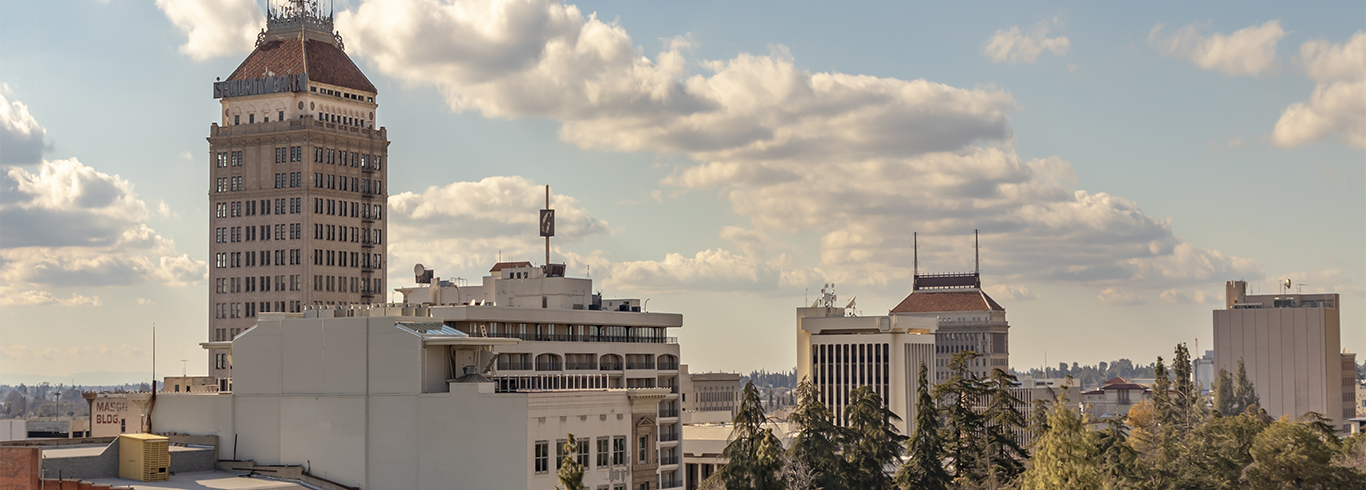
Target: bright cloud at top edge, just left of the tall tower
<point>215,28</point>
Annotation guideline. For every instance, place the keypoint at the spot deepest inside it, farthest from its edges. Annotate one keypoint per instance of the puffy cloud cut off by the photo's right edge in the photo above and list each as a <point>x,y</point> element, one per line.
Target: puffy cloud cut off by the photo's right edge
<point>1338,104</point>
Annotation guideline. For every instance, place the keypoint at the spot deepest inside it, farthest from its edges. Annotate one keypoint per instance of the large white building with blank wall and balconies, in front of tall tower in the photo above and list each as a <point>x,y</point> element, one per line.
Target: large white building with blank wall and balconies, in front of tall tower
<point>417,397</point>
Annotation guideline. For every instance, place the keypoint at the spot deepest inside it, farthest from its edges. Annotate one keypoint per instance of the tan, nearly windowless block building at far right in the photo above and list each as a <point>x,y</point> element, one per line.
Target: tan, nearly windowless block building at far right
<point>1290,345</point>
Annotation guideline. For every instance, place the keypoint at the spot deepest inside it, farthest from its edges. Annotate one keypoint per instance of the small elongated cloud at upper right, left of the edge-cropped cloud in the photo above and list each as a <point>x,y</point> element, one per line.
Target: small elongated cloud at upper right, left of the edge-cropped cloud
<point>1251,51</point>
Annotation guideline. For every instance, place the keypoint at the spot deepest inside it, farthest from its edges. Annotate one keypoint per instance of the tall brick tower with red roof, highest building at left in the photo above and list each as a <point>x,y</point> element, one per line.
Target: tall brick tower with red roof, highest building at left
<point>296,181</point>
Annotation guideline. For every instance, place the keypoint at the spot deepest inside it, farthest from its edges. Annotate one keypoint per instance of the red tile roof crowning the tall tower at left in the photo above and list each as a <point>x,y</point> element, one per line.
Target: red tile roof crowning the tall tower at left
<point>327,63</point>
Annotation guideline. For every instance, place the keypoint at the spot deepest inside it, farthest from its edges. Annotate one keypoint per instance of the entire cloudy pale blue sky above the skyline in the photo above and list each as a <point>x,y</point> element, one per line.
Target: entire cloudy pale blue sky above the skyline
<point>725,160</point>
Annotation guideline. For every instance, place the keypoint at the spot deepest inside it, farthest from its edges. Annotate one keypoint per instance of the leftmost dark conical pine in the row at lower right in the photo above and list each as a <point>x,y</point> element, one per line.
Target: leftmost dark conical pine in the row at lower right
<point>752,461</point>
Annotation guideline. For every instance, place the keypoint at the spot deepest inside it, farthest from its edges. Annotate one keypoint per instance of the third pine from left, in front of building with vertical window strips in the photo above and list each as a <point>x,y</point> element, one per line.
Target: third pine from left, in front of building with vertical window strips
<point>872,442</point>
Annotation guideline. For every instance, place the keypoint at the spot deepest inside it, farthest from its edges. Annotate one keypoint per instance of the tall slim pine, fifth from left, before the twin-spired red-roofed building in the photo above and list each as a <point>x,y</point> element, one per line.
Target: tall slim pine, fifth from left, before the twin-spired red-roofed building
<point>965,428</point>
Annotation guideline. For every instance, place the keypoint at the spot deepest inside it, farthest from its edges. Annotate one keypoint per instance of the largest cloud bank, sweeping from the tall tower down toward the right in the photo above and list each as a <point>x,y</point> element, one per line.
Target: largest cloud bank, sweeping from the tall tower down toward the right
<point>861,162</point>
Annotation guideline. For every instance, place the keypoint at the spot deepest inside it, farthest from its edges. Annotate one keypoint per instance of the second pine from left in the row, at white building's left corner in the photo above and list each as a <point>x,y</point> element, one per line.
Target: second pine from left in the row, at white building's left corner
<point>816,443</point>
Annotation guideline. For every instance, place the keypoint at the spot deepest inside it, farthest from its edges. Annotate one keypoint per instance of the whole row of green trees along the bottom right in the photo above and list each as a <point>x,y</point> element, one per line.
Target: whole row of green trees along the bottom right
<point>966,435</point>
